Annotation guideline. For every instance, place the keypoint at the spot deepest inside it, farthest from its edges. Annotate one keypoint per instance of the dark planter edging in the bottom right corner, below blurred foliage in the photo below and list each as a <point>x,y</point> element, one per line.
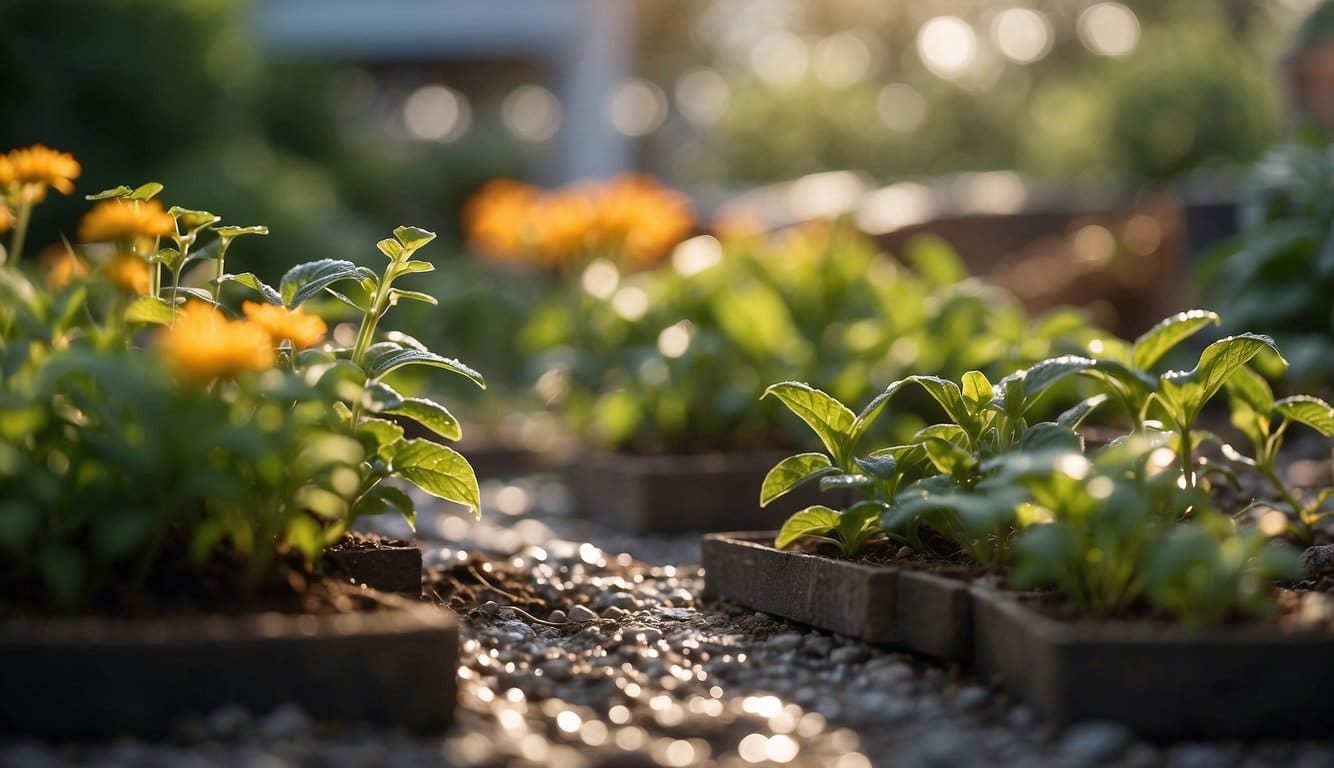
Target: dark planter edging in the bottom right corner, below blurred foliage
<point>1161,682</point>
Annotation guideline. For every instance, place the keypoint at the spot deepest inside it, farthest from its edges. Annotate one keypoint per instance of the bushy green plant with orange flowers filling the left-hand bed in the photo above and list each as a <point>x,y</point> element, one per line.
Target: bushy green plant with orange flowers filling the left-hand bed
<point>143,422</point>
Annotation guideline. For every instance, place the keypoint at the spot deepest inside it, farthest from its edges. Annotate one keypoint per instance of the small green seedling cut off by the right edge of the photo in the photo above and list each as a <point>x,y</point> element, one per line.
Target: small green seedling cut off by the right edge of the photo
<point>1265,422</point>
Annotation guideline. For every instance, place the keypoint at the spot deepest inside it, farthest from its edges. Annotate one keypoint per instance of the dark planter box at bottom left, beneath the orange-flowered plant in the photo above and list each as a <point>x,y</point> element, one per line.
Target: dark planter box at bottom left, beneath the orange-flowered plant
<point>389,662</point>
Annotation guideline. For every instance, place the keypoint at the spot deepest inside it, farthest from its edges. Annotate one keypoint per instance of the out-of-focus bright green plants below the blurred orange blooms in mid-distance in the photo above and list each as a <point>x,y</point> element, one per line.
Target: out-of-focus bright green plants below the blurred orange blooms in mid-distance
<point>673,359</point>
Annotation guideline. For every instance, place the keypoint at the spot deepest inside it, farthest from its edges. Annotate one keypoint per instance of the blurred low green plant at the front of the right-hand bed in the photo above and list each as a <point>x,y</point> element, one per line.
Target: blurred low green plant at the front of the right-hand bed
<point>1108,534</point>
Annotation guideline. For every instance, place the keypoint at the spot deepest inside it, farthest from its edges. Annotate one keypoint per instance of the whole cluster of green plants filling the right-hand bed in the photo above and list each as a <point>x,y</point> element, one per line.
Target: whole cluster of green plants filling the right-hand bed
<point>1121,529</point>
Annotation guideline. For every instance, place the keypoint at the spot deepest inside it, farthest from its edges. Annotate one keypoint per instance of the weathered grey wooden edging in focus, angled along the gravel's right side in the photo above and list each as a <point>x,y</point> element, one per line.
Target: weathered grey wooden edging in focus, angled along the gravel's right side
<point>914,610</point>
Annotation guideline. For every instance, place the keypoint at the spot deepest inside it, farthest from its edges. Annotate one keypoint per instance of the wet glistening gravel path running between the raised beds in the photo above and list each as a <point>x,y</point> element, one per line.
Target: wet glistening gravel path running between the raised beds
<point>612,659</point>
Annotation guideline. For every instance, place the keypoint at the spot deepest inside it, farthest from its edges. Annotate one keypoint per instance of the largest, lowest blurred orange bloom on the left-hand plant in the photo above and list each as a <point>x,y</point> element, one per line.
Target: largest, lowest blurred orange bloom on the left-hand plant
<point>203,345</point>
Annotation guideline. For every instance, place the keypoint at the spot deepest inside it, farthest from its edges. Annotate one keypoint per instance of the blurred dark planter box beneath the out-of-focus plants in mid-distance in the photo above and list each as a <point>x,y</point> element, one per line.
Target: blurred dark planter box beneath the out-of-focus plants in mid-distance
<point>682,494</point>
